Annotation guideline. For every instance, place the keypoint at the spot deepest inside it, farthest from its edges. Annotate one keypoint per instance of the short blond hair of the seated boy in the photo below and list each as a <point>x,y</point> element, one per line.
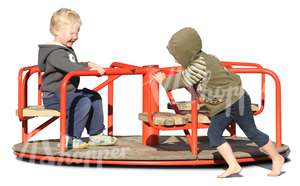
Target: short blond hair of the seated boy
<point>62,17</point>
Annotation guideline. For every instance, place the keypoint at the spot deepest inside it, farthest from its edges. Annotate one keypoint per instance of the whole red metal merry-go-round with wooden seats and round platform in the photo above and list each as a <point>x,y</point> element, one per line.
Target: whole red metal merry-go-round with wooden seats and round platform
<point>149,148</point>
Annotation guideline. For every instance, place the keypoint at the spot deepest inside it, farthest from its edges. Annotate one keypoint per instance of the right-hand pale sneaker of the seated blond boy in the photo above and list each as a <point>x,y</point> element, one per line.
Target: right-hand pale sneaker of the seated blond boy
<point>102,140</point>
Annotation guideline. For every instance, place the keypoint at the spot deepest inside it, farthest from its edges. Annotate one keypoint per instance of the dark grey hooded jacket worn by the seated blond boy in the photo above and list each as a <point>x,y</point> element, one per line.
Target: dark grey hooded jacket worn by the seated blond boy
<point>55,62</point>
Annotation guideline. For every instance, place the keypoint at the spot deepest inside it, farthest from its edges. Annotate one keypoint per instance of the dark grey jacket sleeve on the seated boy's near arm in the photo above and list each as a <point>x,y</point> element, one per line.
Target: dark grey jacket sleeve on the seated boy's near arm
<point>65,61</point>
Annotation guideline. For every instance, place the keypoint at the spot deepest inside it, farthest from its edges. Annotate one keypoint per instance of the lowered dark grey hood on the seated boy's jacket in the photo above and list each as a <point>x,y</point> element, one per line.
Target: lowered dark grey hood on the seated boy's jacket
<point>44,51</point>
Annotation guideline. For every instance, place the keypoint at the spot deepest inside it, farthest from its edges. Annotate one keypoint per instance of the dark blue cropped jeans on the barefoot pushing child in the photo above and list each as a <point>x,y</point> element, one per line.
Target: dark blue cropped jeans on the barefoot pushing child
<point>239,112</point>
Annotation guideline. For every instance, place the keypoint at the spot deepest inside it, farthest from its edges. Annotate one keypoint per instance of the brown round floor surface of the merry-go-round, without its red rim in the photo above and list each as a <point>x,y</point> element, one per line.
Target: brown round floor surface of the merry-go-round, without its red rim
<point>131,148</point>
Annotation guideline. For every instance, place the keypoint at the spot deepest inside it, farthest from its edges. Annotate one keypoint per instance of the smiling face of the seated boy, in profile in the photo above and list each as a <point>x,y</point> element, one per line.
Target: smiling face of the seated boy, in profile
<point>68,34</point>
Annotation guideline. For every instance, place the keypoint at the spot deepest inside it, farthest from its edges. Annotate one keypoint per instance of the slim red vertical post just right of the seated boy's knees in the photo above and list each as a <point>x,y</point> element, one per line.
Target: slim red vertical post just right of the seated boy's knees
<point>110,108</point>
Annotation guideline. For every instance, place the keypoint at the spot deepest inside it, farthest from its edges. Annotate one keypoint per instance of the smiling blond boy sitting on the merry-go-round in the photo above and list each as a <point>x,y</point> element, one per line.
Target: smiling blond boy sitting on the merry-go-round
<point>56,59</point>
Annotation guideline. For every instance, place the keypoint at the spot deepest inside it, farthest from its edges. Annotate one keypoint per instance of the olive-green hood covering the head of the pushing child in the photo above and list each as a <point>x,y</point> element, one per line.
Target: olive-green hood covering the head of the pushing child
<point>185,45</point>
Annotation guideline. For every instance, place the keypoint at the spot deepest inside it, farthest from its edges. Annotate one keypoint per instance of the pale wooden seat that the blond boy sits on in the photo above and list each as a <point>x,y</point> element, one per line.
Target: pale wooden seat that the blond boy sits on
<point>39,111</point>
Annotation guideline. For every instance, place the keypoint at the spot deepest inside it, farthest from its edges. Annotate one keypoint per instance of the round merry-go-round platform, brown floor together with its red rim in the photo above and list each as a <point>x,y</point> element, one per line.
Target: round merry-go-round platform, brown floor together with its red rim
<point>171,151</point>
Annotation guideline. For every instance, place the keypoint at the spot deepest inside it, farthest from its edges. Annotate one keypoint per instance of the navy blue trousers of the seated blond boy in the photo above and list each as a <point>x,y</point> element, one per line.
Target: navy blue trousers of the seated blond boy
<point>84,110</point>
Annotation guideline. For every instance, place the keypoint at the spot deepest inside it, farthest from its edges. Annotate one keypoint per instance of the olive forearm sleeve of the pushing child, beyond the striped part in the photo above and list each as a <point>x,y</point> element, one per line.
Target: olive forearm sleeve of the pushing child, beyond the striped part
<point>173,82</point>
